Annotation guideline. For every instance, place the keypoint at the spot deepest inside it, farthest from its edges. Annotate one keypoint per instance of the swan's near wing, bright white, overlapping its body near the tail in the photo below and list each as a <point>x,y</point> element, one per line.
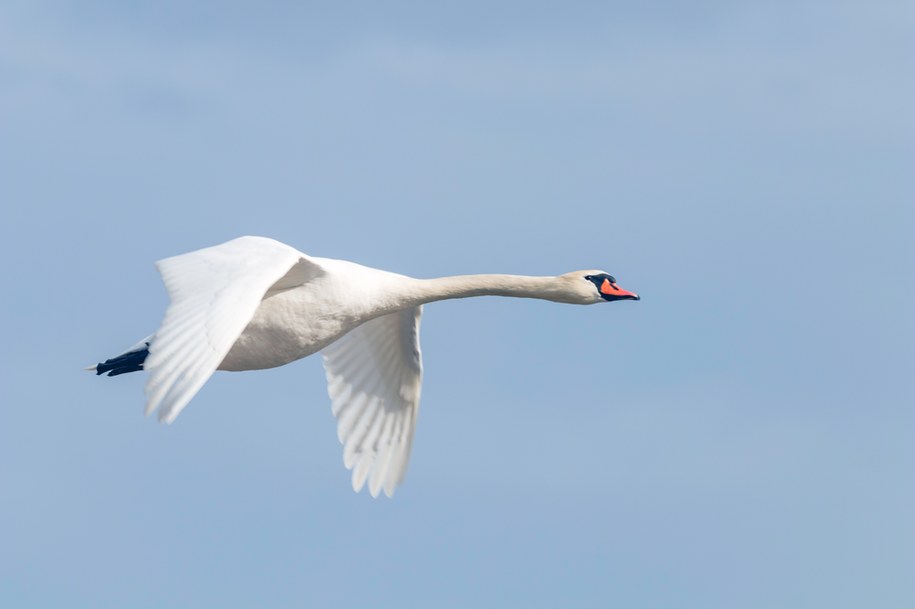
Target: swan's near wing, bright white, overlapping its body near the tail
<point>214,293</point>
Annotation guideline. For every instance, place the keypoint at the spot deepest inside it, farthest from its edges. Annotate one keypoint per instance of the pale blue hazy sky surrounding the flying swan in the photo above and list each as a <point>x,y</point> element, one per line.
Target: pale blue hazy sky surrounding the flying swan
<point>741,438</point>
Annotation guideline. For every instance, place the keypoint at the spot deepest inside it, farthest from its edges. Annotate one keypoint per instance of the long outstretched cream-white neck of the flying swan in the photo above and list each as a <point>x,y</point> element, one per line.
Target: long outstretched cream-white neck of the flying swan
<point>466,286</point>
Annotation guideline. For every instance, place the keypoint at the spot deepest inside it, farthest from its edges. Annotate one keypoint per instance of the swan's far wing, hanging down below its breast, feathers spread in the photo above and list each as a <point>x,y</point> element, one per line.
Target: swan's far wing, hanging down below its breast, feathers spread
<point>374,376</point>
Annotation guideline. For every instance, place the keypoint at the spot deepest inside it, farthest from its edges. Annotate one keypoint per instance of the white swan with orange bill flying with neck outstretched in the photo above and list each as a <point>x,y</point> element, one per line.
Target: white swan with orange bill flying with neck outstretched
<point>253,303</point>
